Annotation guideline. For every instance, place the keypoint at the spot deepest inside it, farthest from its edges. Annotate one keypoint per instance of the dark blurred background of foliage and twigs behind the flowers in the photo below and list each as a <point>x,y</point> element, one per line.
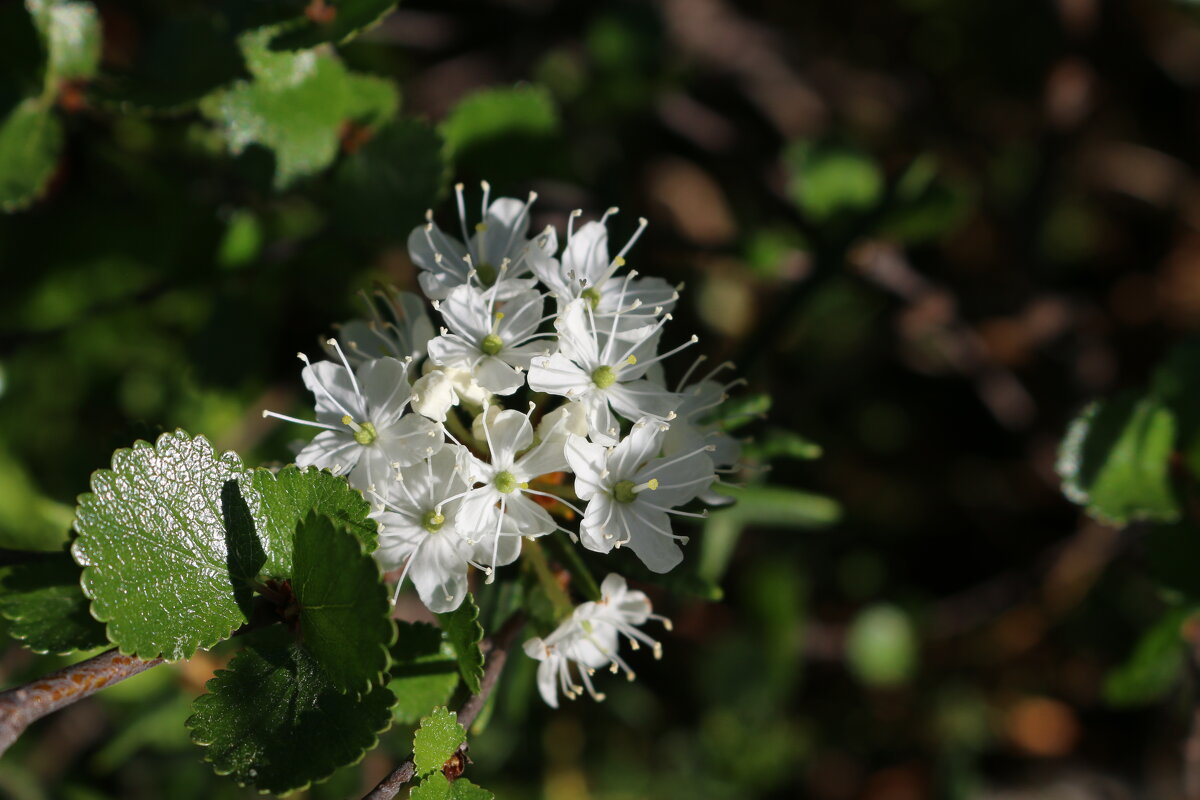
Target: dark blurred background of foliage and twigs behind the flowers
<point>934,334</point>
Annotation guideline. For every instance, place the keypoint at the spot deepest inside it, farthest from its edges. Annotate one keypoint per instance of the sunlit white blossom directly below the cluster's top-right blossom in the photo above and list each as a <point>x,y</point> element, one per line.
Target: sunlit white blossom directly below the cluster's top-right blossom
<point>603,372</point>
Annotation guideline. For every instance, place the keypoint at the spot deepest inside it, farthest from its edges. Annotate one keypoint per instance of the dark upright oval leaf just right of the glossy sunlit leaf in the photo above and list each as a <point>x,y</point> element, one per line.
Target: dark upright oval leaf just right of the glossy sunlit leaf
<point>345,610</point>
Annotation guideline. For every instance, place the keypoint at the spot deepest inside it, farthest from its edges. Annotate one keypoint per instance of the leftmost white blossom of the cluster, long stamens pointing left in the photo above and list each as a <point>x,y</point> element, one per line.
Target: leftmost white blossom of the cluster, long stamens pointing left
<point>365,431</point>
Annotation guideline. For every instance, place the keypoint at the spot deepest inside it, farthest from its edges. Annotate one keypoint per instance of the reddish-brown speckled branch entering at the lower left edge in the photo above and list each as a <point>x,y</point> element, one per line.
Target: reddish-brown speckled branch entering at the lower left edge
<point>26,705</point>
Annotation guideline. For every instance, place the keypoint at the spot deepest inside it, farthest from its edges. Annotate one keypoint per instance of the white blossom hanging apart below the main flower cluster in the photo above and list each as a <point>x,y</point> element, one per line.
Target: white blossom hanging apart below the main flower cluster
<point>590,640</point>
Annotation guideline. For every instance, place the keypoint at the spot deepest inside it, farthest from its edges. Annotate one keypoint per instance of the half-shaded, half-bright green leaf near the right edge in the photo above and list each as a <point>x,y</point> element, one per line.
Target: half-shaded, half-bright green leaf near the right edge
<point>1115,460</point>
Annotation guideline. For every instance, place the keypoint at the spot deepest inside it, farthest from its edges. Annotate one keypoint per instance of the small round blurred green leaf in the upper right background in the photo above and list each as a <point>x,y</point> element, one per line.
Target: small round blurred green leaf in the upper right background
<point>829,181</point>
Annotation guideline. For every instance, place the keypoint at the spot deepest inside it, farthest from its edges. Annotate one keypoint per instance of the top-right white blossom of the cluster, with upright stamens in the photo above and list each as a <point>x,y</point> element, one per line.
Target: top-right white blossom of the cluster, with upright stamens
<point>587,273</point>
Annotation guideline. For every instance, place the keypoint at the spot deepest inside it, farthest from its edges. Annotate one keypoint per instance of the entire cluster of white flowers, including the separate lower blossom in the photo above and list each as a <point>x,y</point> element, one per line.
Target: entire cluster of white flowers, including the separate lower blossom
<point>429,420</point>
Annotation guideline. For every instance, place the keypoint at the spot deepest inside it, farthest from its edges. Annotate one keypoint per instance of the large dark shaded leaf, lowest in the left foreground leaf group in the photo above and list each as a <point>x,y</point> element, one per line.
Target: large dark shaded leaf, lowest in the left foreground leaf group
<point>275,720</point>
